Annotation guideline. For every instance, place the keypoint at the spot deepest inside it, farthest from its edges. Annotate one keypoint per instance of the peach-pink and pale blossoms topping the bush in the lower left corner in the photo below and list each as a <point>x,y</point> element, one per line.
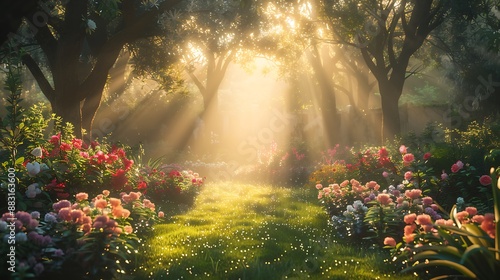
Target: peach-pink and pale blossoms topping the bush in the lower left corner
<point>62,233</point>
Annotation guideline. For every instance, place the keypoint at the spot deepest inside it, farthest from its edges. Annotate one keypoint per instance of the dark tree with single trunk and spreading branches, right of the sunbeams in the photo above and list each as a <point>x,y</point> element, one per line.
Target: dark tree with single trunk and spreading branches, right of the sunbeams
<point>388,33</point>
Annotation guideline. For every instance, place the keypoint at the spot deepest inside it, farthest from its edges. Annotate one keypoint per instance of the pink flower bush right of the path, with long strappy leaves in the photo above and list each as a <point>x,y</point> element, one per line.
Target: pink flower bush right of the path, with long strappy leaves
<point>405,212</point>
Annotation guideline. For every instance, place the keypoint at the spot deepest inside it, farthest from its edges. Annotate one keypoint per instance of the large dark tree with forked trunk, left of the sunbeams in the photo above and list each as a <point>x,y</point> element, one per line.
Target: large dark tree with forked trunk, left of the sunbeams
<point>81,41</point>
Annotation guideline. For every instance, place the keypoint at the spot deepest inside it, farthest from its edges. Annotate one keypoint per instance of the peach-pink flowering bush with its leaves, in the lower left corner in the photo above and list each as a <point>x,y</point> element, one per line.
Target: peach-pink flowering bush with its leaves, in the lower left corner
<point>93,238</point>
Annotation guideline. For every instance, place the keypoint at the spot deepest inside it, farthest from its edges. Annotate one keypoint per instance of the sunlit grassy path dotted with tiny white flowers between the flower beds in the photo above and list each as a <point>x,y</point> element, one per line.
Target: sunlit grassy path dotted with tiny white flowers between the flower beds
<point>245,231</point>
